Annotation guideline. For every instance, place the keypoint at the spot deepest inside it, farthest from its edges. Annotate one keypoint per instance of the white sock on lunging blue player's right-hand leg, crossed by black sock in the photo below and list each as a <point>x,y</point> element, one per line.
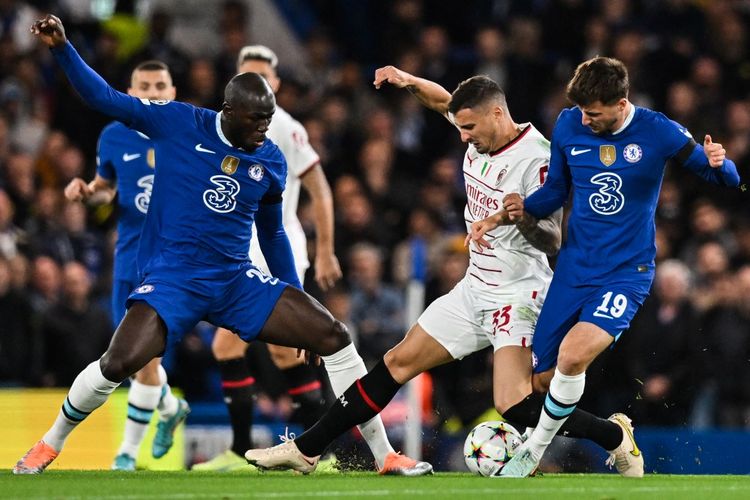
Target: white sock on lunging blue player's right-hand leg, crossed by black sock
<point>344,368</point>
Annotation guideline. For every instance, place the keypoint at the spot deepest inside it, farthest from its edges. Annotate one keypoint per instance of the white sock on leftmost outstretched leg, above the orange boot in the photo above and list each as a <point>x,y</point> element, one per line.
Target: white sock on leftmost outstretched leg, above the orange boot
<point>89,391</point>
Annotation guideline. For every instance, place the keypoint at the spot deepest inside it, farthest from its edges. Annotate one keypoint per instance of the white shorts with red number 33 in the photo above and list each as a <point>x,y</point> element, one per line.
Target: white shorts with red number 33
<point>464,322</point>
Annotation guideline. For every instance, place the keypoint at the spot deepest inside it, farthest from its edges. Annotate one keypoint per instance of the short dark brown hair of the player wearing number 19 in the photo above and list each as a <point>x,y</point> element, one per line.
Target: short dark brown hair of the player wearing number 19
<point>600,79</point>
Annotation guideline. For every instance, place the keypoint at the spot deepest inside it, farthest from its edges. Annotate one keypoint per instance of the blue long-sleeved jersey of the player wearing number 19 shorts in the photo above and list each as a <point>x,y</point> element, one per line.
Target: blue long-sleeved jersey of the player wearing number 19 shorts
<point>615,180</point>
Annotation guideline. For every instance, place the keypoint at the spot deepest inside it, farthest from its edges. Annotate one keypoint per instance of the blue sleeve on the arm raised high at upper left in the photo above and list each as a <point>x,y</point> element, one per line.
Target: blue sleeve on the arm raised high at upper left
<point>139,114</point>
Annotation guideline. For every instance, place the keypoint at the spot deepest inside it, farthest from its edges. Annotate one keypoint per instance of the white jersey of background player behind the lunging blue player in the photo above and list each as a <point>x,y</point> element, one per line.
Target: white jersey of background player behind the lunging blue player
<point>291,138</point>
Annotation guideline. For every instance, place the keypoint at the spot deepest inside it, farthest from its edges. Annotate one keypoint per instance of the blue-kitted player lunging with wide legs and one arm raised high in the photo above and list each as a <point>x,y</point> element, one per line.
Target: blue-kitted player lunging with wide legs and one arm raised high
<point>217,175</point>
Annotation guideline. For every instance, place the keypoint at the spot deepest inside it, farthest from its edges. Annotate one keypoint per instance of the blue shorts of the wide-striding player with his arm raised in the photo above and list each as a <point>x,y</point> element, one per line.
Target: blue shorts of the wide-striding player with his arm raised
<point>240,301</point>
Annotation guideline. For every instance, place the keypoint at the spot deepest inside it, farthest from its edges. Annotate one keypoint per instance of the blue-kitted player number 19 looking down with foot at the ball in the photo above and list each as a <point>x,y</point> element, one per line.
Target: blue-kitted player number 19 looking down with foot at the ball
<point>611,154</point>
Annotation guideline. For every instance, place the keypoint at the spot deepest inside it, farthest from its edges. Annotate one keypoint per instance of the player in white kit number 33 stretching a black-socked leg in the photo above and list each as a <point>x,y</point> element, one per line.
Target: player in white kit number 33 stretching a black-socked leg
<point>497,302</point>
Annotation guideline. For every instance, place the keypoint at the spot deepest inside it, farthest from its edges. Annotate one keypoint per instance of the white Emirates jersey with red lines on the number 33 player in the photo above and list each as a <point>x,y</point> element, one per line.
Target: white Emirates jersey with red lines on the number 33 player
<point>519,167</point>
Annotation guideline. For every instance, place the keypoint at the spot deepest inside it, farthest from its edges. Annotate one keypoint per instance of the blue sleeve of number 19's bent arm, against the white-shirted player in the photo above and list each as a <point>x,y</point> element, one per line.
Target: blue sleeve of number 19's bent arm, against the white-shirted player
<point>554,192</point>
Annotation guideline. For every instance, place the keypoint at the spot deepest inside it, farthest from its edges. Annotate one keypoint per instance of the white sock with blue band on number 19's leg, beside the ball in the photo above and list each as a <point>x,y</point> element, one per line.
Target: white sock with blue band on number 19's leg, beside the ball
<point>564,393</point>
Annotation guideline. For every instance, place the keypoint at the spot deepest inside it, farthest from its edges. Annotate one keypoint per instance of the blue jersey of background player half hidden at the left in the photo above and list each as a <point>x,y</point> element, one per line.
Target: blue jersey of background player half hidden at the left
<point>126,158</point>
